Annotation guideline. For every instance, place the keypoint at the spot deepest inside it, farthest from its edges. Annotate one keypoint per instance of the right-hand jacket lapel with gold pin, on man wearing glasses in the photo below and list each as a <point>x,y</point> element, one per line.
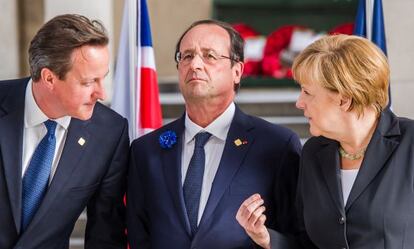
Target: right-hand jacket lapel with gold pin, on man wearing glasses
<point>230,162</point>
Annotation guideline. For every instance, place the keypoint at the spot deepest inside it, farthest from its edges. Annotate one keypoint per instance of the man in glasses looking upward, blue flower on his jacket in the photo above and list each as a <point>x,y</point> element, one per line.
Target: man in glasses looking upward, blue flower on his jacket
<point>188,178</point>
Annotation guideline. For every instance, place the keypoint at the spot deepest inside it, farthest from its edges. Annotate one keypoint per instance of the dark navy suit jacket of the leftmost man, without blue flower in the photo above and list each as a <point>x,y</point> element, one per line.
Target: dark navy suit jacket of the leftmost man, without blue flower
<point>91,175</point>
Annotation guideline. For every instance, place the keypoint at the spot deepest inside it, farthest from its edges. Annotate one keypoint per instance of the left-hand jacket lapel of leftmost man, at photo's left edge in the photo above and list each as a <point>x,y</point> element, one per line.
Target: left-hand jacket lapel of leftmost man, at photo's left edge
<point>11,144</point>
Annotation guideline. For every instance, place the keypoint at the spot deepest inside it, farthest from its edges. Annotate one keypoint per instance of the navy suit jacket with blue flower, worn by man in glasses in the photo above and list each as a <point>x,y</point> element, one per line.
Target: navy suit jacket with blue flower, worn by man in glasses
<point>267,164</point>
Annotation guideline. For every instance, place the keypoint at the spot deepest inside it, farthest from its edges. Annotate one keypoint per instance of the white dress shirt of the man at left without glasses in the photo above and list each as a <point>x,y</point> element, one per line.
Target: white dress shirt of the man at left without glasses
<point>34,131</point>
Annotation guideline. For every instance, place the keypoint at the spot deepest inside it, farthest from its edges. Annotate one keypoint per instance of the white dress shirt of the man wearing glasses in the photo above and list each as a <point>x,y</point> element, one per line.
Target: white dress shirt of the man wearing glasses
<point>213,150</point>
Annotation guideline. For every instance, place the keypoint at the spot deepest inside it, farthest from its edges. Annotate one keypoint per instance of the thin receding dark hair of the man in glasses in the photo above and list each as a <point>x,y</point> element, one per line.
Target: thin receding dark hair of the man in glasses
<point>236,41</point>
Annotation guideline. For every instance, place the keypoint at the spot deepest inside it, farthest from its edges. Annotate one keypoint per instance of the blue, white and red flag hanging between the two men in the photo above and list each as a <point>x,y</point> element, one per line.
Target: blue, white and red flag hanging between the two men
<point>136,95</point>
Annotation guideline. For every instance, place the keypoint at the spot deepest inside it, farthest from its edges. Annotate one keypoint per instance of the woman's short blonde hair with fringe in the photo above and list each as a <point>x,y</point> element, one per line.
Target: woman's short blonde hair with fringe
<point>349,65</point>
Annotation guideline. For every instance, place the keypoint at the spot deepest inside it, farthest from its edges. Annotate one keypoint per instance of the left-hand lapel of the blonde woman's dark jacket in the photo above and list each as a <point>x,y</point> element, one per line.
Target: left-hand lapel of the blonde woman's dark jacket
<point>329,162</point>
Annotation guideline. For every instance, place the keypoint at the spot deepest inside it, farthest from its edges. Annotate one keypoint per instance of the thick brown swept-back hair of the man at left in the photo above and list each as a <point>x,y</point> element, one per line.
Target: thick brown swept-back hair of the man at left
<point>54,43</point>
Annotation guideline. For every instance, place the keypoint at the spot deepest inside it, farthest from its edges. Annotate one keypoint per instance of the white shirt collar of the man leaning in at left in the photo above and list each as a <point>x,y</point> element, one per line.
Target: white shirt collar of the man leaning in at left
<point>33,116</point>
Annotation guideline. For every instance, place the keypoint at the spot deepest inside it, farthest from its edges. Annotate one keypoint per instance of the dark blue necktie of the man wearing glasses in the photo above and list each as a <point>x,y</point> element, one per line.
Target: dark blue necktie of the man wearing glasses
<point>194,179</point>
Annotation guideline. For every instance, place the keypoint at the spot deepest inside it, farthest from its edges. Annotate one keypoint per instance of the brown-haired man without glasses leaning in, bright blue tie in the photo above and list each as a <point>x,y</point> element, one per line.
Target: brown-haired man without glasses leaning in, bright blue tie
<point>61,150</point>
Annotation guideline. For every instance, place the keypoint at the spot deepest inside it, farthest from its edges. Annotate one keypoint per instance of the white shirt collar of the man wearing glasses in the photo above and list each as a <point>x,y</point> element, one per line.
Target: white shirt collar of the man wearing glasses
<point>218,128</point>
